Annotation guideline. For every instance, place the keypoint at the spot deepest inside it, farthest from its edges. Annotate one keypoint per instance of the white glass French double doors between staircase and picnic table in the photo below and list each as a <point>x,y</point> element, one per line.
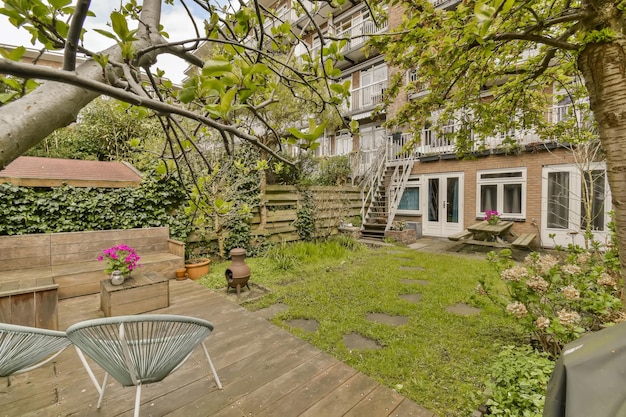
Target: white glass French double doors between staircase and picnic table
<point>444,204</point>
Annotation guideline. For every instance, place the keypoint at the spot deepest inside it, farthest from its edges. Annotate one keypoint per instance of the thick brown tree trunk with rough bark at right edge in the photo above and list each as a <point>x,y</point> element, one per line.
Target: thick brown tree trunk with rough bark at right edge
<point>603,66</point>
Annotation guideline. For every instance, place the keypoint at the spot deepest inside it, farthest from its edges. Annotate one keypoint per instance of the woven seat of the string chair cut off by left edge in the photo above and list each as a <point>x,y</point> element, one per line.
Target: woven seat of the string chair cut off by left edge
<point>24,348</point>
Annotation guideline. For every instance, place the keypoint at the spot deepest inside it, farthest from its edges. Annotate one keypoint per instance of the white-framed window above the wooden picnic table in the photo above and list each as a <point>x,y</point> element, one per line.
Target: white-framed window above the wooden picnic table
<point>503,191</point>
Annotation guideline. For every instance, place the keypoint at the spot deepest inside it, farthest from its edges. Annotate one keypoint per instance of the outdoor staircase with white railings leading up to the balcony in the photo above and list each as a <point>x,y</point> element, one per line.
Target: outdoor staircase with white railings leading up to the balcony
<point>382,196</point>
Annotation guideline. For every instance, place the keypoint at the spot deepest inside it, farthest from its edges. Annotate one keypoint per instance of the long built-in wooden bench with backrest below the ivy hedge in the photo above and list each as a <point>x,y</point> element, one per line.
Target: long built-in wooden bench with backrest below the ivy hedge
<point>70,259</point>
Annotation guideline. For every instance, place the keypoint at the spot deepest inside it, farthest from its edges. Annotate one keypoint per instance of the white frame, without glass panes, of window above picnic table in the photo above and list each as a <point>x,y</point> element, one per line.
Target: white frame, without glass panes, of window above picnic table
<point>500,183</point>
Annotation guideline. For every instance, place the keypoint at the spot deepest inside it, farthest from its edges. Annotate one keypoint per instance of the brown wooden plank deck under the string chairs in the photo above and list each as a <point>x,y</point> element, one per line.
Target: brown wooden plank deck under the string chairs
<point>265,371</point>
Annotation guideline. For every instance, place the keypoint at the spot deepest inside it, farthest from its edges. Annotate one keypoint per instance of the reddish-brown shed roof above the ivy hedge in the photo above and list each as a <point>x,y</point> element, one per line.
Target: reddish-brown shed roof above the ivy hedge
<point>32,171</point>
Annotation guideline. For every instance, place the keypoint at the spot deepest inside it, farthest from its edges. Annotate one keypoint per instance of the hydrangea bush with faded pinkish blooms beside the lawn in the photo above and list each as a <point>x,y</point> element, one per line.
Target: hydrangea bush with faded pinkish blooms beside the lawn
<point>558,297</point>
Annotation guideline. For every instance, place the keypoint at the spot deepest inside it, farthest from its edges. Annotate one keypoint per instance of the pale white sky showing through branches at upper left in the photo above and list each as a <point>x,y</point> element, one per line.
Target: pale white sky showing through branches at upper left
<point>174,21</point>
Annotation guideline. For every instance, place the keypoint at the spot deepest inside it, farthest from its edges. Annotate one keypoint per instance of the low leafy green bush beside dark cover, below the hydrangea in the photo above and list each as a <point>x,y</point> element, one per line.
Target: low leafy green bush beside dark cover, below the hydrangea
<point>518,382</point>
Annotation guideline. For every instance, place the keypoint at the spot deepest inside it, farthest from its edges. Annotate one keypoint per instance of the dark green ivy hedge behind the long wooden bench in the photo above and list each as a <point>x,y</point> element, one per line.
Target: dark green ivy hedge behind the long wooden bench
<point>155,203</point>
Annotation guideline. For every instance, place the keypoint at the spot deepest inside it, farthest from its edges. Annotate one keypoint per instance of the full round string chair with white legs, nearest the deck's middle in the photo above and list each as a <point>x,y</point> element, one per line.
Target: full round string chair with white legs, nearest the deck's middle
<point>138,350</point>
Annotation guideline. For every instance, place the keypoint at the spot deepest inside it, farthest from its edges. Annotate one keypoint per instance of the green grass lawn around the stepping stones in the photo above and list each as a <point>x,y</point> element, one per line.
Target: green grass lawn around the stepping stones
<point>438,359</point>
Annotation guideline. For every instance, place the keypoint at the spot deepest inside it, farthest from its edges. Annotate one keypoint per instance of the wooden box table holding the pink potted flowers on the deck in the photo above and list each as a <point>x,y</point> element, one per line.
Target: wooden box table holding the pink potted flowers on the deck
<point>138,294</point>
